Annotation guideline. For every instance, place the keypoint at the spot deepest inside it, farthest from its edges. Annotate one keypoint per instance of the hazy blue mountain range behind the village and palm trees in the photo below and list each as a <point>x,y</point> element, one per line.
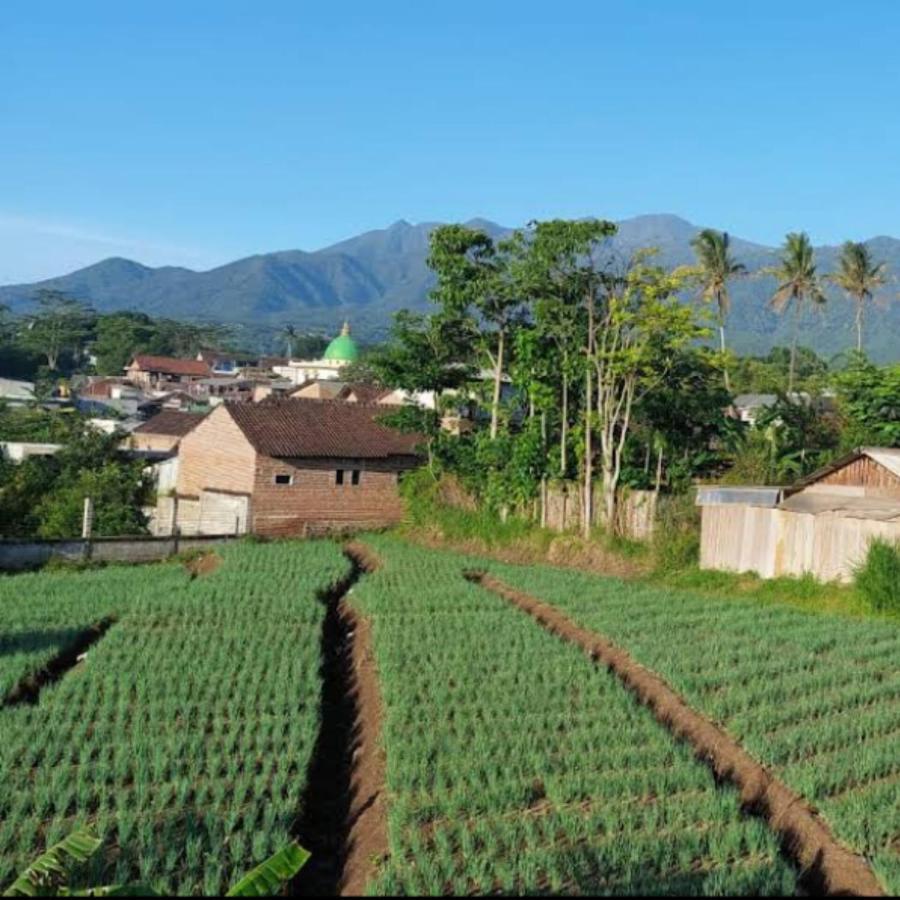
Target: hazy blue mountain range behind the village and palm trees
<point>372,275</point>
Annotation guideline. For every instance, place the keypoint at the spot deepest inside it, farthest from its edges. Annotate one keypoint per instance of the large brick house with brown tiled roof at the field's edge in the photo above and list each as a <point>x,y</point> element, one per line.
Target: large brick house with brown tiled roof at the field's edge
<point>291,467</point>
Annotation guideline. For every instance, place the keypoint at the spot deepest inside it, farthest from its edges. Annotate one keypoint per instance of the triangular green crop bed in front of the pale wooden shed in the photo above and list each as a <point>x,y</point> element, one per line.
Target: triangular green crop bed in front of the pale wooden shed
<point>816,698</point>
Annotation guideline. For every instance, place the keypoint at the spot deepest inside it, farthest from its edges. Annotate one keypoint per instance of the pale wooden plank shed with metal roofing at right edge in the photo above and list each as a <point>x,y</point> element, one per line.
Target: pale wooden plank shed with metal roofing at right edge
<point>822,526</point>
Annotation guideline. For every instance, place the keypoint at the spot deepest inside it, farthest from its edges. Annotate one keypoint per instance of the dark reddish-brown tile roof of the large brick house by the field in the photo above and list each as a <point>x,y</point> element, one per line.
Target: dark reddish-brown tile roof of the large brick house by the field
<point>321,429</point>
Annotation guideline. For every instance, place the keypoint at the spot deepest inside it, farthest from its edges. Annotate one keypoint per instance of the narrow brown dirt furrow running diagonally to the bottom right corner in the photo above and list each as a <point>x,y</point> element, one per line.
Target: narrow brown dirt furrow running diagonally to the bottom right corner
<point>829,868</point>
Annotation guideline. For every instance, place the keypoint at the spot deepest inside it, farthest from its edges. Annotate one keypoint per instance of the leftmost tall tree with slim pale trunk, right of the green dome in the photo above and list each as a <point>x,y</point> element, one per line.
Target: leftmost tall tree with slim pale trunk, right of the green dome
<point>474,283</point>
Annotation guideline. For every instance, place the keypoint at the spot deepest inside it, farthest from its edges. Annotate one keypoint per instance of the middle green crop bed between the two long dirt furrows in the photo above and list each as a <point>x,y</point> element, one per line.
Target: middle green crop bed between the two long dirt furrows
<point>514,764</point>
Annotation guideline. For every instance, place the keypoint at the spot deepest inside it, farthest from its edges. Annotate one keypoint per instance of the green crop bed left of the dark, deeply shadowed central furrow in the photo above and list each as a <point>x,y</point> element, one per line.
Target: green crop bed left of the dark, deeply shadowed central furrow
<point>185,737</point>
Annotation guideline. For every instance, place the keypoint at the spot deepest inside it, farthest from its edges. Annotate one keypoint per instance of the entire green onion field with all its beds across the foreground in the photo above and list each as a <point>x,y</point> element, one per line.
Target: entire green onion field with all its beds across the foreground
<point>508,761</point>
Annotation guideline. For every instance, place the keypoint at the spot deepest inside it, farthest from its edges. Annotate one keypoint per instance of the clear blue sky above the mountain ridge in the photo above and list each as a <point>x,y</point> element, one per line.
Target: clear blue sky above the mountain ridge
<point>193,133</point>
